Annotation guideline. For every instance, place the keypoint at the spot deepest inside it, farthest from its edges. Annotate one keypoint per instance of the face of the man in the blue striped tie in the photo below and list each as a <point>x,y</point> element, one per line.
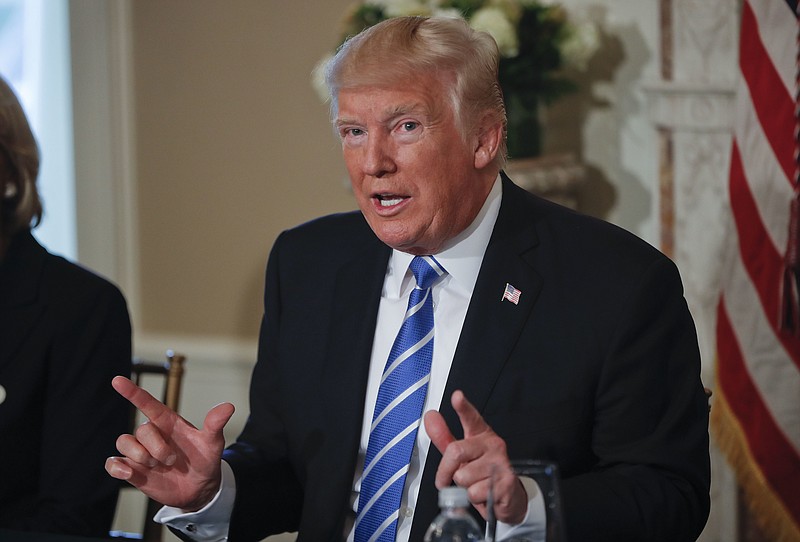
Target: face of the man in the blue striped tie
<point>413,174</point>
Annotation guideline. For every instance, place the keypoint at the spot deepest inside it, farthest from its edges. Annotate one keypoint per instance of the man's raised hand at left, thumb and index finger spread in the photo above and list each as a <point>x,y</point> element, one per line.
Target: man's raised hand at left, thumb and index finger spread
<point>168,458</point>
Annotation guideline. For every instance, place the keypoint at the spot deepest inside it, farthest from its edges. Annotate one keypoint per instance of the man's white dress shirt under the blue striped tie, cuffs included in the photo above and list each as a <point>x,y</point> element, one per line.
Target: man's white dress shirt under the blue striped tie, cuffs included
<point>462,258</point>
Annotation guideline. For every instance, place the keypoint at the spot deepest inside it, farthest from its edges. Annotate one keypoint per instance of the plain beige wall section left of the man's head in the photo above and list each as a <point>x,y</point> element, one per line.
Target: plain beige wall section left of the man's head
<point>232,146</point>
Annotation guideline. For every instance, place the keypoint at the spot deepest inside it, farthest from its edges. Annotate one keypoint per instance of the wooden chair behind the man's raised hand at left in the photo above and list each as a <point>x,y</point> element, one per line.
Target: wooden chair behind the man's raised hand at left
<point>171,371</point>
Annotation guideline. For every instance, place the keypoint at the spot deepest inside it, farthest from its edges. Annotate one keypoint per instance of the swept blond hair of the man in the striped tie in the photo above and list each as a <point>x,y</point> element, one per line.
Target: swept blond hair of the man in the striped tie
<point>396,50</point>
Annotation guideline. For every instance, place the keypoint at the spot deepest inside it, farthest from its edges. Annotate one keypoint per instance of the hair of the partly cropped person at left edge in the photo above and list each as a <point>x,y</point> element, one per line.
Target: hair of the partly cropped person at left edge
<point>20,206</point>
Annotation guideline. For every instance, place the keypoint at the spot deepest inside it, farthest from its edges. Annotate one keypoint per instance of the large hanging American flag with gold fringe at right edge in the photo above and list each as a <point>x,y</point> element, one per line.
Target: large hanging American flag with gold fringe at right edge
<point>756,412</point>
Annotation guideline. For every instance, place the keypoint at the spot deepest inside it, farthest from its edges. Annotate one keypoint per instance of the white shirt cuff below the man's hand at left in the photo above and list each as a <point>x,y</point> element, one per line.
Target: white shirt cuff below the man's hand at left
<point>210,523</point>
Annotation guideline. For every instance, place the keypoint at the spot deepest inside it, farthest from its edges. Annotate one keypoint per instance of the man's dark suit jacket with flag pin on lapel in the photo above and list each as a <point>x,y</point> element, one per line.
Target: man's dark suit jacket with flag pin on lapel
<point>597,368</point>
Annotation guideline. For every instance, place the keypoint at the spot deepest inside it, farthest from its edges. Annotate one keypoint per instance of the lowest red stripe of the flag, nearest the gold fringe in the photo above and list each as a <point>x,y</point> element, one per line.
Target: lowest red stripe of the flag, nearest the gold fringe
<point>775,455</point>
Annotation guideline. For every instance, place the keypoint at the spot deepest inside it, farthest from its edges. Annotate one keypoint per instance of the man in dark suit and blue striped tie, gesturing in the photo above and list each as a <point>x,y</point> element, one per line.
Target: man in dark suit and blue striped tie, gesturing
<point>557,336</point>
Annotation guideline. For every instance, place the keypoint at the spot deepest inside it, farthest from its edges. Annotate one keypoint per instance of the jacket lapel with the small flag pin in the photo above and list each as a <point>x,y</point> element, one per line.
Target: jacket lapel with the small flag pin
<point>491,328</point>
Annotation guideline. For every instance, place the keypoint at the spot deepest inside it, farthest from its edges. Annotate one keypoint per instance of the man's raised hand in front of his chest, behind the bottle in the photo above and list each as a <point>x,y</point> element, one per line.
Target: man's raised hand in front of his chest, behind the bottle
<point>470,462</point>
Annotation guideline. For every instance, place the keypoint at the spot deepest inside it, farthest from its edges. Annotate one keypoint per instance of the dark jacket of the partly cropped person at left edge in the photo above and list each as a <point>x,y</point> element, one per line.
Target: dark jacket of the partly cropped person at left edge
<point>64,334</point>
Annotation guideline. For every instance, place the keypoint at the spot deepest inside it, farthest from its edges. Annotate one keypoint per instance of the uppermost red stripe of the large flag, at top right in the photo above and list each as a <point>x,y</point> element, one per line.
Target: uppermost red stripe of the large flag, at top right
<point>764,80</point>
